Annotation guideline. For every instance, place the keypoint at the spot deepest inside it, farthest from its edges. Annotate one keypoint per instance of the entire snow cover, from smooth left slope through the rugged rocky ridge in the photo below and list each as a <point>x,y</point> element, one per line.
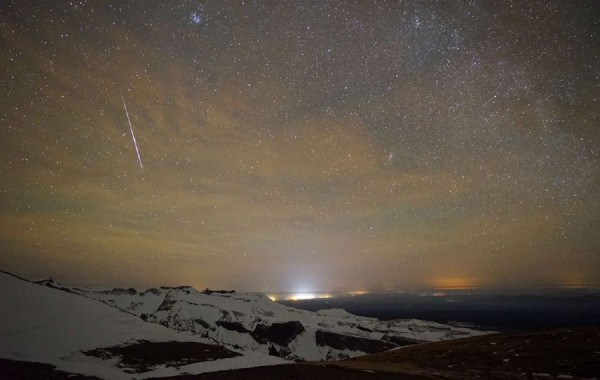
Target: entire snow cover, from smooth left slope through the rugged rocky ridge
<point>238,321</point>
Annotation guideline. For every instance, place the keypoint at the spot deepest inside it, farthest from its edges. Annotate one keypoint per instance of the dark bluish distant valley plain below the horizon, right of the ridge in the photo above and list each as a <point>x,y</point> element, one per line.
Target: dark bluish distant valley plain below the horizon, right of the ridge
<point>496,309</point>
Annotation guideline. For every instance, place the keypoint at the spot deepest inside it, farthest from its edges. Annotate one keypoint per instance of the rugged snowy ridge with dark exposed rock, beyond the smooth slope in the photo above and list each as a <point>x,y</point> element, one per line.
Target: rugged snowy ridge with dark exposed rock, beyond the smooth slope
<point>251,321</point>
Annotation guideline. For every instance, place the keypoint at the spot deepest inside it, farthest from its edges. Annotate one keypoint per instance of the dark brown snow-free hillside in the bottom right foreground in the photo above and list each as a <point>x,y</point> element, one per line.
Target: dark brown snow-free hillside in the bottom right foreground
<point>547,354</point>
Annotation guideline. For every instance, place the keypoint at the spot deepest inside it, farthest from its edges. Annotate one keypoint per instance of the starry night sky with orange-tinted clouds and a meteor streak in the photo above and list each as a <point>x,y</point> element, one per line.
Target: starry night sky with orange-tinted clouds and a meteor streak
<point>301,145</point>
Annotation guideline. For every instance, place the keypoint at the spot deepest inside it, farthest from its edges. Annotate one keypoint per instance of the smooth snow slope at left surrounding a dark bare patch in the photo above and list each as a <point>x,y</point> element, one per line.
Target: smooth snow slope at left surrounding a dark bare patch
<point>40,324</point>
